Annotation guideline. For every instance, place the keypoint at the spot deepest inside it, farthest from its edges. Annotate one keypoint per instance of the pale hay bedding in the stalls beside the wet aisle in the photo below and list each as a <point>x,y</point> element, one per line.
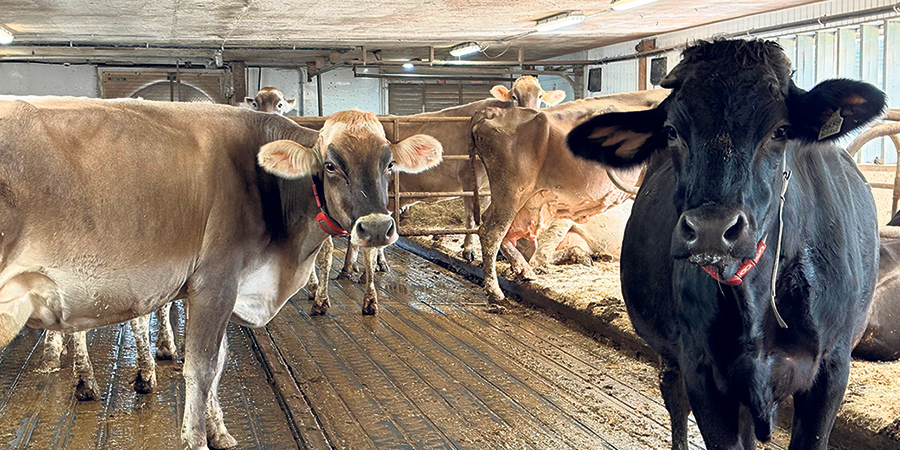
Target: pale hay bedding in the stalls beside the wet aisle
<point>872,400</point>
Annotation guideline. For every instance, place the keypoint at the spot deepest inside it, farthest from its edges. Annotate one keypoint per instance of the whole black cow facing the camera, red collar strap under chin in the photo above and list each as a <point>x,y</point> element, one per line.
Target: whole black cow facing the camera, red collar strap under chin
<point>710,203</point>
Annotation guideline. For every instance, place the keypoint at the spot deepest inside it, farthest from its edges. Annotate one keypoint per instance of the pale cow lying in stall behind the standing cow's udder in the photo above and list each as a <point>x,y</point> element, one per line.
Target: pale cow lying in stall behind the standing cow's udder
<point>564,241</point>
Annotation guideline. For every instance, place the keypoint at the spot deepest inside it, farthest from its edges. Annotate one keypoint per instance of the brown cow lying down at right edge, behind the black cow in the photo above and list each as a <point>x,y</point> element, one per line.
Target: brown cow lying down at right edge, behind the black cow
<point>881,340</point>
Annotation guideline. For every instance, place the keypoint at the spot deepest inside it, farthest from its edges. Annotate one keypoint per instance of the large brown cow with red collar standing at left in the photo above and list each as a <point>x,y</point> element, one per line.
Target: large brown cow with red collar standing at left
<point>110,209</point>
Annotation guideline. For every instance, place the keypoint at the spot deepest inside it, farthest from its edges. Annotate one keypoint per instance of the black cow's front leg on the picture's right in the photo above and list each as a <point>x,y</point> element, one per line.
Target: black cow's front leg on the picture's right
<point>816,409</point>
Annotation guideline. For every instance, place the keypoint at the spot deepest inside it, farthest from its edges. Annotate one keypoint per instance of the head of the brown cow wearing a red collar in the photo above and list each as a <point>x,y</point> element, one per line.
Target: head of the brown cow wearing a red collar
<point>355,161</point>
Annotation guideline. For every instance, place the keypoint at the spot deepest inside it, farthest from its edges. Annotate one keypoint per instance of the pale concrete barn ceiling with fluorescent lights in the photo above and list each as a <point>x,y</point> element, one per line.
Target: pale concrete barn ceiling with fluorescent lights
<point>294,32</point>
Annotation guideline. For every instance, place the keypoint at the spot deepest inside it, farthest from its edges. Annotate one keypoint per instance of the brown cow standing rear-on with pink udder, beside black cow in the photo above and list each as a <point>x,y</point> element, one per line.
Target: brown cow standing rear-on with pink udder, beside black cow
<point>535,178</point>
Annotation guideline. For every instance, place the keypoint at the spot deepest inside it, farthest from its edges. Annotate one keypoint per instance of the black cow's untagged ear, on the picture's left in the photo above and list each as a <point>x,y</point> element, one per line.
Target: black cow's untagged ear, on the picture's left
<point>620,139</point>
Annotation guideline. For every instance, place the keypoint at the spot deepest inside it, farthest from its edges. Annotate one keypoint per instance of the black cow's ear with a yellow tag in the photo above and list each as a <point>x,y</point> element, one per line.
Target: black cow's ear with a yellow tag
<point>833,108</point>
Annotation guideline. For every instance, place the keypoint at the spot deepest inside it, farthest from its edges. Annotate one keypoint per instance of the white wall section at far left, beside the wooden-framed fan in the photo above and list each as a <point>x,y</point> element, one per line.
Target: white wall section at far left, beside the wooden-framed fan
<point>49,79</point>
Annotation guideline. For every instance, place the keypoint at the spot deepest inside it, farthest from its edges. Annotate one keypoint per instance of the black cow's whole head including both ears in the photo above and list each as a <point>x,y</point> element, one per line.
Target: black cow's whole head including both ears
<point>732,115</point>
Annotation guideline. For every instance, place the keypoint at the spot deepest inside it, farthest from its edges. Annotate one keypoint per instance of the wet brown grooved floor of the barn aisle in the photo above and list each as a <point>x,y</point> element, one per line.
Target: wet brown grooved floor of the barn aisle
<point>433,370</point>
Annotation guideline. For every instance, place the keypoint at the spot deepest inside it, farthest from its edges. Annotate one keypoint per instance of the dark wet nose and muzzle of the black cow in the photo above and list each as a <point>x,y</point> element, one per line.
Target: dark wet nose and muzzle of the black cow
<point>711,234</point>
